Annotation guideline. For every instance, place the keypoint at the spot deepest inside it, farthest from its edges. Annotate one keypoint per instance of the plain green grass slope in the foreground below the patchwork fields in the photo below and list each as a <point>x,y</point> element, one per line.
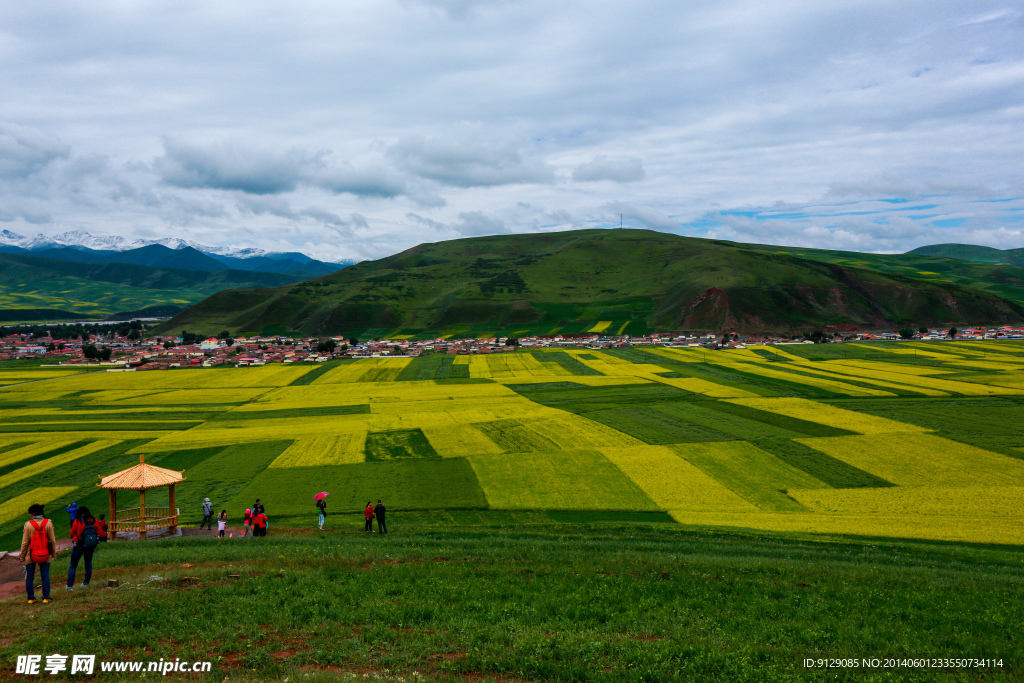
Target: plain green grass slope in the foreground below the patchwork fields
<point>557,603</point>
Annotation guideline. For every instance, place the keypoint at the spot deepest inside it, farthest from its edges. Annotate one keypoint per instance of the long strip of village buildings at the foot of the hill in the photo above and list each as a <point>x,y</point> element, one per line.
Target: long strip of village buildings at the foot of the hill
<point>166,353</point>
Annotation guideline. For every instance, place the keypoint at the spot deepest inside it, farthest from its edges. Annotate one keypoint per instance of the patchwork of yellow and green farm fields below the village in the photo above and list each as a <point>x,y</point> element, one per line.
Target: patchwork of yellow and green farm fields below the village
<point>907,441</point>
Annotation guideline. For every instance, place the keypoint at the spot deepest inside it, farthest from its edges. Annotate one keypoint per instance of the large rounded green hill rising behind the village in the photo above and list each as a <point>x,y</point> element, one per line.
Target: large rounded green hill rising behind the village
<point>619,282</point>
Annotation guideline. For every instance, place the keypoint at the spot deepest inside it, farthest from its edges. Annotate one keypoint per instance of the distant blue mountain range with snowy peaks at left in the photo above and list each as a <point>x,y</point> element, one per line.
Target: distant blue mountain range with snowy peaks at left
<point>169,253</point>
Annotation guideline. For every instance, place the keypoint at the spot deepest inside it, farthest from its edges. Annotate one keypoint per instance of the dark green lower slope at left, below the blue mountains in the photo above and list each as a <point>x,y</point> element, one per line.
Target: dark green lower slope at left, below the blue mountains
<point>29,282</point>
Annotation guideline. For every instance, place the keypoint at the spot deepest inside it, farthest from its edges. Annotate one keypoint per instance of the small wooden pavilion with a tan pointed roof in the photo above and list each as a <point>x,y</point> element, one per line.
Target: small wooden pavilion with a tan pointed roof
<point>142,520</point>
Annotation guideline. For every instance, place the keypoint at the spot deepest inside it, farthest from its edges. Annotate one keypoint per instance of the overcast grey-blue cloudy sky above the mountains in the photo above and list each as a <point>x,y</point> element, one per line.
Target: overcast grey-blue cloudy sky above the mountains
<point>358,130</point>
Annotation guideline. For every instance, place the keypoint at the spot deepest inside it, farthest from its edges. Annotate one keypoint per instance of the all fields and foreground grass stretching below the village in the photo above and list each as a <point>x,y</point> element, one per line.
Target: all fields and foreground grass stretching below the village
<point>652,515</point>
